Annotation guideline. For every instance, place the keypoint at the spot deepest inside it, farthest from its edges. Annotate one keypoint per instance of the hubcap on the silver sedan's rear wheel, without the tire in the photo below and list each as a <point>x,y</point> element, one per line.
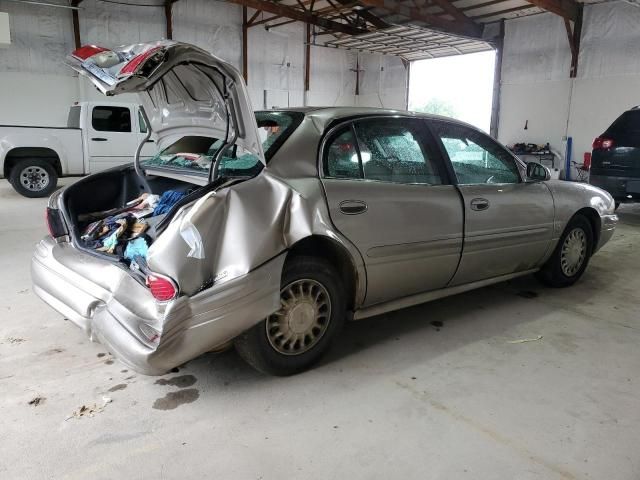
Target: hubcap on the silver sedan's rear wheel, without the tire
<point>303,318</point>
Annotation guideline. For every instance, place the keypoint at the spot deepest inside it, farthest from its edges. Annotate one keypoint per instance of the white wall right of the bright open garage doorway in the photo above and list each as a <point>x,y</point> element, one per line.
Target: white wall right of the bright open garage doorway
<point>536,84</point>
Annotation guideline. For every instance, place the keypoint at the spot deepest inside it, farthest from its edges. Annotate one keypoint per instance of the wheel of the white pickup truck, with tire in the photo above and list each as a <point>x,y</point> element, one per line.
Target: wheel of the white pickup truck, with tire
<point>33,177</point>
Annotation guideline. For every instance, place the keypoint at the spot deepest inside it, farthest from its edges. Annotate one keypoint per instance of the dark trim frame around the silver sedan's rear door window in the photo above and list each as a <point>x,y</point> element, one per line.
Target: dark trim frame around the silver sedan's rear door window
<point>424,133</point>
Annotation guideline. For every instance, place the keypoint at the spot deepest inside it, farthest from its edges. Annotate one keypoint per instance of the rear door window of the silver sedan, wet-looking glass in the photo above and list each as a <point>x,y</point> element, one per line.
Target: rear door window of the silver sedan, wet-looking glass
<point>388,150</point>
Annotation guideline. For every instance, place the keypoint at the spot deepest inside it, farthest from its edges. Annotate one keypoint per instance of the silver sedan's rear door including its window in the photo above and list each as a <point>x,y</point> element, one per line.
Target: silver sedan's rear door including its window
<point>389,194</point>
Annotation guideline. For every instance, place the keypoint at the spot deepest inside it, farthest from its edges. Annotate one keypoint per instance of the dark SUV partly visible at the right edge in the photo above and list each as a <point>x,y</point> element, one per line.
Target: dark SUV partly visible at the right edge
<point>615,161</point>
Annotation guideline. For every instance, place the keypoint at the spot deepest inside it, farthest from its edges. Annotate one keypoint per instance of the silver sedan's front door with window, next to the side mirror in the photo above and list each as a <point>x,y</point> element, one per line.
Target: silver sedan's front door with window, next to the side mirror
<point>508,222</point>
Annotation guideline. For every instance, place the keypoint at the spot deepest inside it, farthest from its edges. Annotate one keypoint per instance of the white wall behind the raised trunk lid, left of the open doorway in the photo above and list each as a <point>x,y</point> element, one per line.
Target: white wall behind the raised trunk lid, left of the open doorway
<point>37,88</point>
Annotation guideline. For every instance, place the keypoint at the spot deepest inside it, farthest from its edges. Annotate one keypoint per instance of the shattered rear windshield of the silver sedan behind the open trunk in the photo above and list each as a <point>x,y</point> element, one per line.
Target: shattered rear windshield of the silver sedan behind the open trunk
<point>195,153</point>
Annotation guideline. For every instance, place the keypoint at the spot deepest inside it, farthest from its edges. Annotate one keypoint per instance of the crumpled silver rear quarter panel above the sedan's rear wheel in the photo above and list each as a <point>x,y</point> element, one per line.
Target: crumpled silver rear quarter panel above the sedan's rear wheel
<point>240,228</point>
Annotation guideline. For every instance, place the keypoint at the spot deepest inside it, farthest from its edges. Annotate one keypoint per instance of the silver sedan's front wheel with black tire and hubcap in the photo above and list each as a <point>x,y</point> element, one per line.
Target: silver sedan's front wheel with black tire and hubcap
<point>553,273</point>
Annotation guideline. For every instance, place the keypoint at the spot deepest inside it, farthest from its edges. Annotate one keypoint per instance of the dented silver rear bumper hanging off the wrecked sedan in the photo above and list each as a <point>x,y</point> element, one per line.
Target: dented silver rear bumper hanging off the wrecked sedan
<point>114,309</point>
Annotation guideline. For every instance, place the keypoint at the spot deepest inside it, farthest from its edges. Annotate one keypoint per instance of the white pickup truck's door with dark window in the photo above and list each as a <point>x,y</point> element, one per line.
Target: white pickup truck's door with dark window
<point>111,136</point>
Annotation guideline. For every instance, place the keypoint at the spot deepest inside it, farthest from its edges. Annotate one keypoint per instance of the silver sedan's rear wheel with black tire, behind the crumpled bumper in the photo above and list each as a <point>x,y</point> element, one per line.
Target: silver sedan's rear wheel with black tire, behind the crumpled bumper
<point>266,350</point>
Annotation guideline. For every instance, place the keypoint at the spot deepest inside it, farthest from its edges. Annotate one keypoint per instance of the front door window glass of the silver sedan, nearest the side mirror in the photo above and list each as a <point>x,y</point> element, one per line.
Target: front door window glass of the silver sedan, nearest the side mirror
<point>475,157</point>
